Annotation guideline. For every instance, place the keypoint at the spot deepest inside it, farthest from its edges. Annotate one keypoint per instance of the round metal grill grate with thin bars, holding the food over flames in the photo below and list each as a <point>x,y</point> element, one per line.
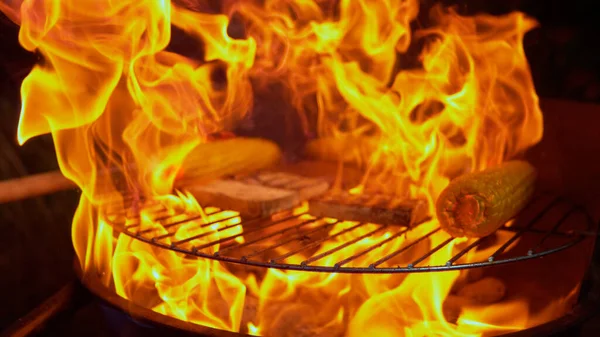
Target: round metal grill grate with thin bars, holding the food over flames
<point>293,240</point>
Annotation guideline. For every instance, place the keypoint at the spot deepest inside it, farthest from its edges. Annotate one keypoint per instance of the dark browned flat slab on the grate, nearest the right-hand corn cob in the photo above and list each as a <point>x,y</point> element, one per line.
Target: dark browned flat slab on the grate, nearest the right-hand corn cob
<point>380,209</point>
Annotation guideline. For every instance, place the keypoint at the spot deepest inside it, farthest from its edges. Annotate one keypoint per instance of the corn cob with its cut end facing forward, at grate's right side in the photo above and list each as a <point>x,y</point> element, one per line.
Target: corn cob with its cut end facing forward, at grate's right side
<point>477,204</point>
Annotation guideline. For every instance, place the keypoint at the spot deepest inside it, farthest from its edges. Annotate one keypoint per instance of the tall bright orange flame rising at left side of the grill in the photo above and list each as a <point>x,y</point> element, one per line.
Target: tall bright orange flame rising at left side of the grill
<point>115,97</point>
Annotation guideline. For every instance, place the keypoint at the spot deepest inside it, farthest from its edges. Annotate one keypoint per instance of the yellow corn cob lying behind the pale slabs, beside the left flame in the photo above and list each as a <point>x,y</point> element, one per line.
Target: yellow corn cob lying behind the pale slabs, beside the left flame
<point>228,157</point>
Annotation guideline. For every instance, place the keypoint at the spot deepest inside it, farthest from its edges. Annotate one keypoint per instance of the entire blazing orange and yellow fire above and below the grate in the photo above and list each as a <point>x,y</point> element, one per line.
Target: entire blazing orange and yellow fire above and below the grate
<point>125,106</point>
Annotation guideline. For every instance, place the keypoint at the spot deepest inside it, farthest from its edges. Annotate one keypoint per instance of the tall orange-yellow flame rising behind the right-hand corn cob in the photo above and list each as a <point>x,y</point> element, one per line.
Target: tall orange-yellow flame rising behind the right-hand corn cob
<point>470,102</point>
